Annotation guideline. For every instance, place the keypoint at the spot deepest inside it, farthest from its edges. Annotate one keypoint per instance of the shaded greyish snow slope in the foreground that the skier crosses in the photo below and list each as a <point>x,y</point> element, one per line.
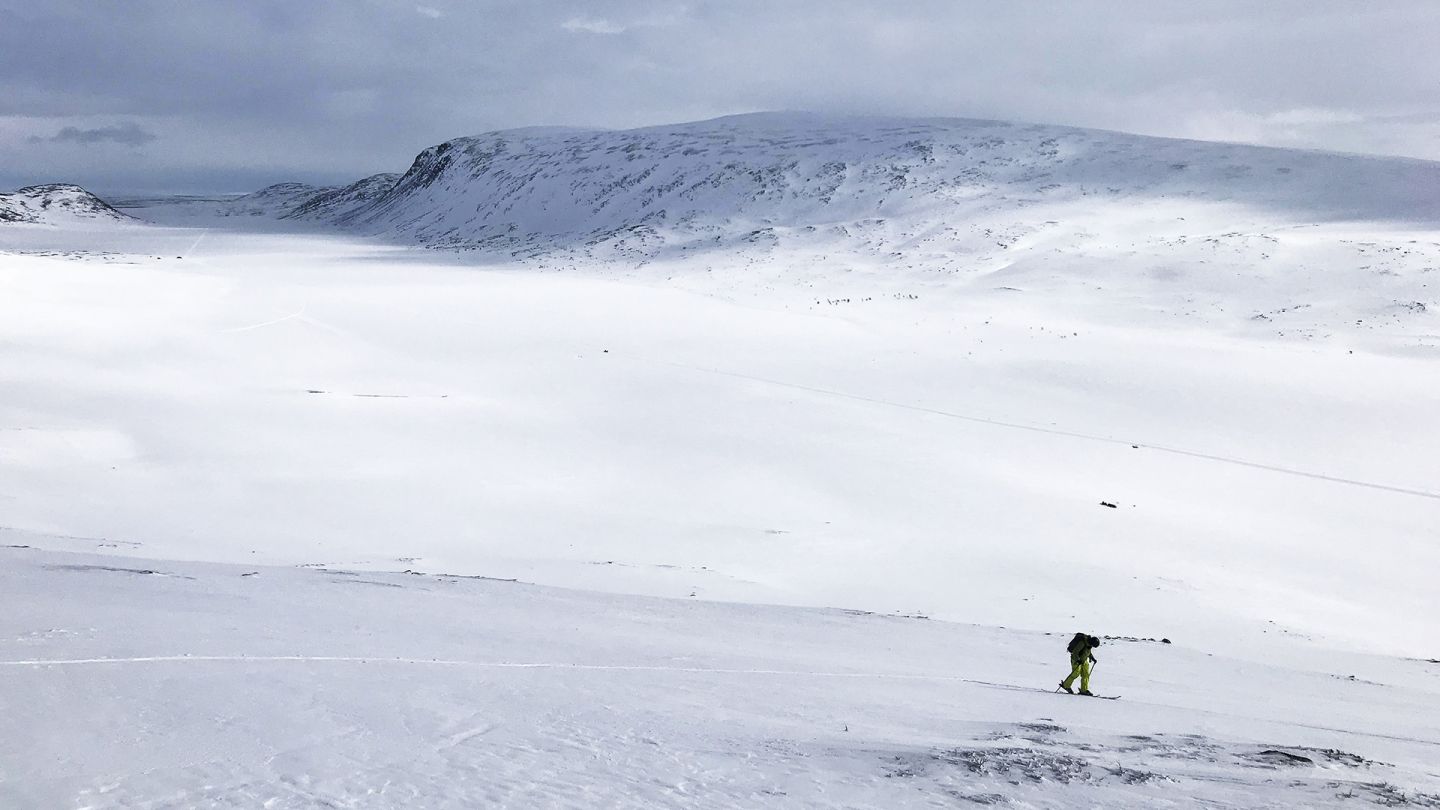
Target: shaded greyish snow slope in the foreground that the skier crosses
<point>159,684</point>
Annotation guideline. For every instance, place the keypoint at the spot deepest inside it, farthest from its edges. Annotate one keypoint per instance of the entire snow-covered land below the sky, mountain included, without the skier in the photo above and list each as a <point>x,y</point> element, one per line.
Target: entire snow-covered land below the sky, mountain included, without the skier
<point>764,462</point>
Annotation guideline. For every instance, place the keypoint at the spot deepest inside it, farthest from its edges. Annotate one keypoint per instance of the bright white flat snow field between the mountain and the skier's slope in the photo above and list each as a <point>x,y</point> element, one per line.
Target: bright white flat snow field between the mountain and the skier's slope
<point>302,400</point>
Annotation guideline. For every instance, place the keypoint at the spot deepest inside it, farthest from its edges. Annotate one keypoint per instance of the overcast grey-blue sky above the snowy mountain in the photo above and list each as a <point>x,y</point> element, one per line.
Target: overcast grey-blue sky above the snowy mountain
<point>199,96</point>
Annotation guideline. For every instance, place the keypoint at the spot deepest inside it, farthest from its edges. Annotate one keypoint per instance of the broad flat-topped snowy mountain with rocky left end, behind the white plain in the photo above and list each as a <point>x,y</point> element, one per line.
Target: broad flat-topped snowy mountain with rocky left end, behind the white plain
<point>1269,240</point>
